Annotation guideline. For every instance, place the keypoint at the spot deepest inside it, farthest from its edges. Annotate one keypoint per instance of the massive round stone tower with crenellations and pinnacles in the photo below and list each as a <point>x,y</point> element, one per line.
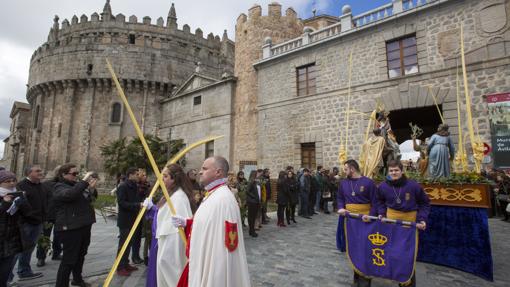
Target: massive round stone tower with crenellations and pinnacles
<point>74,105</point>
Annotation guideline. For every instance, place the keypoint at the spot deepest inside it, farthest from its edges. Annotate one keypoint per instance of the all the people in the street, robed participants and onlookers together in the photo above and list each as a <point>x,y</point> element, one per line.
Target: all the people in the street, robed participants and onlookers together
<point>33,209</point>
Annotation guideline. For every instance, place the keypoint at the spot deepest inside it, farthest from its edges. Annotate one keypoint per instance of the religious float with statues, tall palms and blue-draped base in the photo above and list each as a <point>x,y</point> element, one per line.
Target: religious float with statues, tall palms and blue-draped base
<point>457,233</point>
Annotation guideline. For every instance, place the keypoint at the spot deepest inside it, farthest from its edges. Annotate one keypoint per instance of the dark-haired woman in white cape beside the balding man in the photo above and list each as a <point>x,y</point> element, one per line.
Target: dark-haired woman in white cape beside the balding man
<point>171,257</point>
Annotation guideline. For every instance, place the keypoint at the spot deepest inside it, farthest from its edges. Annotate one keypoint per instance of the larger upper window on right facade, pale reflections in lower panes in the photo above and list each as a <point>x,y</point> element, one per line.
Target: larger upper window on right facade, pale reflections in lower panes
<point>402,57</point>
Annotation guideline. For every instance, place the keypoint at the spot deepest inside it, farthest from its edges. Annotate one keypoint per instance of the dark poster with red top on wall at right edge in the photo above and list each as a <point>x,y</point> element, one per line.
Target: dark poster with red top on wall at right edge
<point>499,116</point>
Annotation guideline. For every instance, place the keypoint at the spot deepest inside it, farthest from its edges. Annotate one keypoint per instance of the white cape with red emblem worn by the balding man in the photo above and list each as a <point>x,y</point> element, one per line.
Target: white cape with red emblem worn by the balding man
<point>211,264</point>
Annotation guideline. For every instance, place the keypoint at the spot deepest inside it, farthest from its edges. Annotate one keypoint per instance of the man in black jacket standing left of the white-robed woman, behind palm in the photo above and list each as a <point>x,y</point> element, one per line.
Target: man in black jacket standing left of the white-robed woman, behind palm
<point>129,205</point>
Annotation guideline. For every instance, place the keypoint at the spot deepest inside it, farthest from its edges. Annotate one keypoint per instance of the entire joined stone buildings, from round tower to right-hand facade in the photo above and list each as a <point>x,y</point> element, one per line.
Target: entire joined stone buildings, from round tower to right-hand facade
<point>183,86</point>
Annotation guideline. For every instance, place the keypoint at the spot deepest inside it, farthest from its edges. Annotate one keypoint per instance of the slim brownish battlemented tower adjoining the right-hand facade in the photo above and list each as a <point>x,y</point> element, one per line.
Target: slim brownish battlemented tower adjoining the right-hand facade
<point>251,31</point>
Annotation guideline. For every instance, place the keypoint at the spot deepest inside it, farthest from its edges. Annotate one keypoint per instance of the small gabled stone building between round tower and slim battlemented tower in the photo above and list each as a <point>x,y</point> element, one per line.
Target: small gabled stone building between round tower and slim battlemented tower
<point>200,108</point>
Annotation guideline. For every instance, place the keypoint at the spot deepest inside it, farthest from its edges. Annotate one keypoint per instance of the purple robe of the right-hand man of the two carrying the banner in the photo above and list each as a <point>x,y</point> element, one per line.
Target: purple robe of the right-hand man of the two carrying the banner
<point>412,198</point>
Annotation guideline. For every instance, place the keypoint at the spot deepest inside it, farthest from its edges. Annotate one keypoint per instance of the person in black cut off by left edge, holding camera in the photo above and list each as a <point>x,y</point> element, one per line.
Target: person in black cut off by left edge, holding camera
<point>13,206</point>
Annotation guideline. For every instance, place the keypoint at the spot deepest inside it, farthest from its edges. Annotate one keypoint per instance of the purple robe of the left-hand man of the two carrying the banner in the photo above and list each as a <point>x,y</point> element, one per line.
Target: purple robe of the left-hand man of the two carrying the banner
<point>365,193</point>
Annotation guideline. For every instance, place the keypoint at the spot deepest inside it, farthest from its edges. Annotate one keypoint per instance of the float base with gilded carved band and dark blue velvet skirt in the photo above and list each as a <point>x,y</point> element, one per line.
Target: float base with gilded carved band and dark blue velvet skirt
<point>457,234</point>
